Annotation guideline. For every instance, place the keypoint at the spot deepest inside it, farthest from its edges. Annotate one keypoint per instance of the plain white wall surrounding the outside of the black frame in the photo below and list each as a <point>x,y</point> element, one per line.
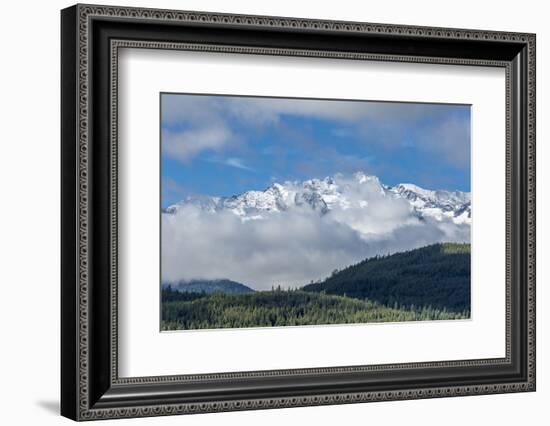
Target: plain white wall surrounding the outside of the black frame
<point>29,213</point>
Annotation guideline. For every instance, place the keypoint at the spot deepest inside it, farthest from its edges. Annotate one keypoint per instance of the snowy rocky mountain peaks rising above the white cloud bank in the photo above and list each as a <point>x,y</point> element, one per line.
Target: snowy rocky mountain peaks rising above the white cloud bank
<point>334,195</point>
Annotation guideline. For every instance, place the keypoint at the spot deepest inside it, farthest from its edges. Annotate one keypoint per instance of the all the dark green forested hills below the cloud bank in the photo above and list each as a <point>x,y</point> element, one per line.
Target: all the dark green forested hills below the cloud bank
<point>429,283</point>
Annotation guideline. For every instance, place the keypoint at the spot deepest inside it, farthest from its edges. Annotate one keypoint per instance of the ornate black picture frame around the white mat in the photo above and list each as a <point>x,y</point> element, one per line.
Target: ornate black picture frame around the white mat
<point>90,38</point>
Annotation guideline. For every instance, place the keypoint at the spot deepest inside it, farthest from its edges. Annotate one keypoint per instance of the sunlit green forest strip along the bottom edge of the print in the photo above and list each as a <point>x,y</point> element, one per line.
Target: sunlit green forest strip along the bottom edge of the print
<point>186,311</point>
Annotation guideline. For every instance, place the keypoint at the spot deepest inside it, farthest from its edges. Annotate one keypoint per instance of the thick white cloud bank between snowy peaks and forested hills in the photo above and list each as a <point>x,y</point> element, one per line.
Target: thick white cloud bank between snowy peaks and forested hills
<point>297,246</point>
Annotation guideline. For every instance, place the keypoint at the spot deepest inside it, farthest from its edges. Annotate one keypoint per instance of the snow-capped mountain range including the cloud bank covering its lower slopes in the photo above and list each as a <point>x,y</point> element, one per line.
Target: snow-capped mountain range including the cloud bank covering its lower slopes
<point>293,232</point>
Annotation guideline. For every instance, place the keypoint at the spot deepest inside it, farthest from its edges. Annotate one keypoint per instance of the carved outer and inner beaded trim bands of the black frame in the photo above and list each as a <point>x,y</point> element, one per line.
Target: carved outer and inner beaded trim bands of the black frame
<point>85,13</point>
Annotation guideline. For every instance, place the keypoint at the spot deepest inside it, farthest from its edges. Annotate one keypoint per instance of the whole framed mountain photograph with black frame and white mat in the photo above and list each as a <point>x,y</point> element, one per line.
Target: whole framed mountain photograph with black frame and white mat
<point>263,212</point>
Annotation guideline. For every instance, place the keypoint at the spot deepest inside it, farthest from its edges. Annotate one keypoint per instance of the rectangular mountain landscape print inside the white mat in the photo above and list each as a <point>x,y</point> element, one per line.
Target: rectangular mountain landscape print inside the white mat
<point>299,212</point>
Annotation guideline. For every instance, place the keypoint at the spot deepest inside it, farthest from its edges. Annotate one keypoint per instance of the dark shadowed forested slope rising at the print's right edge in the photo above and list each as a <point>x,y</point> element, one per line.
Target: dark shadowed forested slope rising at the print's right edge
<point>436,276</point>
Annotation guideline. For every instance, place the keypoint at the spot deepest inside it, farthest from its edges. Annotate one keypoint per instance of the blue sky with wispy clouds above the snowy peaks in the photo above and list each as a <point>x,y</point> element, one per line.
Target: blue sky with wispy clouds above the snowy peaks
<point>225,145</point>
